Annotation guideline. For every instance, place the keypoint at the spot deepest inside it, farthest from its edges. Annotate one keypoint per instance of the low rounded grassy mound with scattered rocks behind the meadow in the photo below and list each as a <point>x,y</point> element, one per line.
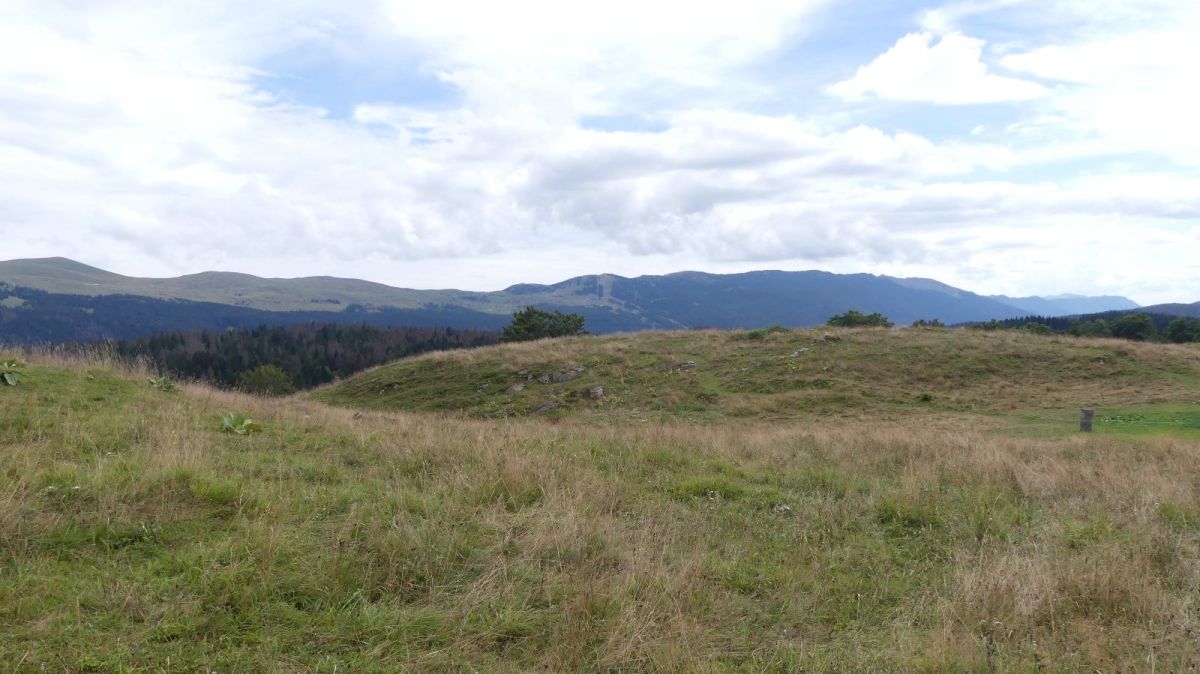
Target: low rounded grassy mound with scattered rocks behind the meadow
<point>779,375</point>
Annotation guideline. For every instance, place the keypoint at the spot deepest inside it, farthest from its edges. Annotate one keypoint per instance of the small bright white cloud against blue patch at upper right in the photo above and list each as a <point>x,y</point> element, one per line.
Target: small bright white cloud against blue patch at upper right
<point>950,73</point>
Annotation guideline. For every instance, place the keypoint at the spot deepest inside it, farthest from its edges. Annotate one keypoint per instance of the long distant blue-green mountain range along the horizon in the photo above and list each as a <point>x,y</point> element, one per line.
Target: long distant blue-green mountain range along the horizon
<point>56,299</point>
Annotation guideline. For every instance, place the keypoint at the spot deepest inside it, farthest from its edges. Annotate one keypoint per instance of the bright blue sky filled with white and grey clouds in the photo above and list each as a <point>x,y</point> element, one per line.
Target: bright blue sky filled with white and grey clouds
<point>1006,147</point>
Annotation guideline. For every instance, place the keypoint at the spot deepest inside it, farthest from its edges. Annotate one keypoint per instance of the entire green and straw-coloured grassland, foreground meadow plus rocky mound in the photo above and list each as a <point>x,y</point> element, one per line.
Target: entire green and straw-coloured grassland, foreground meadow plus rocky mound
<point>863,531</point>
